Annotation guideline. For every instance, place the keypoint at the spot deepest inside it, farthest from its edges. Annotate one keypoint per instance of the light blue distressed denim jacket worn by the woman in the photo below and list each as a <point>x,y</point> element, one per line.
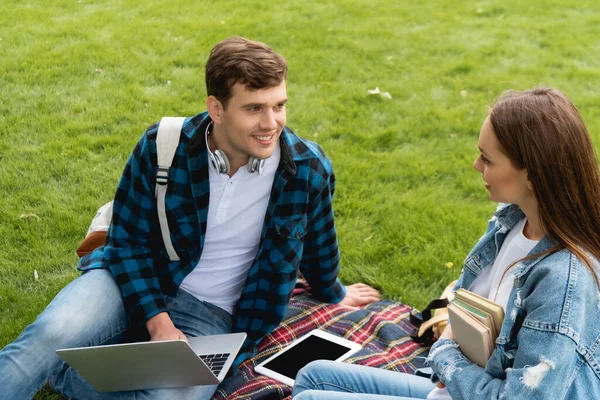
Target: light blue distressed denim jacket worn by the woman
<point>549,344</point>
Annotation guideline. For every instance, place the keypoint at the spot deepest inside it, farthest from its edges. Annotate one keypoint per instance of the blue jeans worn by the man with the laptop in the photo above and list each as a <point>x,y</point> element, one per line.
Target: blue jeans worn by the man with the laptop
<point>88,312</point>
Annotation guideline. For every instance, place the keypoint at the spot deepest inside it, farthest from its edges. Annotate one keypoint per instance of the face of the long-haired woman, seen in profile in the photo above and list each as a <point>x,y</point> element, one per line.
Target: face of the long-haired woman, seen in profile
<point>505,183</point>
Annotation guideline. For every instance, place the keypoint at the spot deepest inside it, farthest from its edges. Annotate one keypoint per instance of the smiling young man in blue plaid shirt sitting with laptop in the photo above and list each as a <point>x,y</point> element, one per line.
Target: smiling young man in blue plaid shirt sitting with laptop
<point>248,206</point>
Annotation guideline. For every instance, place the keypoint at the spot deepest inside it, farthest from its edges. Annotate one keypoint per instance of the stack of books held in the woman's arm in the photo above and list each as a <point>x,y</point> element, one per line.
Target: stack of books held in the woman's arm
<point>476,323</point>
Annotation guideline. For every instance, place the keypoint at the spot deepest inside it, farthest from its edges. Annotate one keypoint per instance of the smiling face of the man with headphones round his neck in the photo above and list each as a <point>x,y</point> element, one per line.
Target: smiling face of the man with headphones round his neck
<point>252,122</point>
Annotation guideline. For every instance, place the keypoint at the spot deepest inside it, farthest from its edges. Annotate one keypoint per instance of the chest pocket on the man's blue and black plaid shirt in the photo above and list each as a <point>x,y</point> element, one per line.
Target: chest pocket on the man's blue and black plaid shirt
<point>287,242</point>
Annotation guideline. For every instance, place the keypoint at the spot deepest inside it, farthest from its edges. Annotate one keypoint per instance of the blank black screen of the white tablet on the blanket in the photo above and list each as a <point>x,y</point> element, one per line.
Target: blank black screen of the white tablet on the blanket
<point>289,362</point>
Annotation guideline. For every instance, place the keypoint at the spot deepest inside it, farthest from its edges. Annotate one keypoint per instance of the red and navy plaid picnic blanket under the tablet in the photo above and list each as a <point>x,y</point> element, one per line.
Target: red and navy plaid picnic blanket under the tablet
<point>382,328</point>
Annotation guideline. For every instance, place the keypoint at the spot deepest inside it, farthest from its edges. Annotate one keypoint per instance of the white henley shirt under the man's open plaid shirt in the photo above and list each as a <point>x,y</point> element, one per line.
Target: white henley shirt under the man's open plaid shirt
<point>236,214</point>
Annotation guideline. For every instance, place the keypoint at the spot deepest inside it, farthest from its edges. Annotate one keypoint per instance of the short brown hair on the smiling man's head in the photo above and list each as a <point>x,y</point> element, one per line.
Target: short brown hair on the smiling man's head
<point>238,60</point>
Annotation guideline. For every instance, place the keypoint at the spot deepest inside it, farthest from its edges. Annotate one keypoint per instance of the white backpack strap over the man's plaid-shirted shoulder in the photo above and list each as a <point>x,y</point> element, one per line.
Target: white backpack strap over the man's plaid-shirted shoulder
<point>167,140</point>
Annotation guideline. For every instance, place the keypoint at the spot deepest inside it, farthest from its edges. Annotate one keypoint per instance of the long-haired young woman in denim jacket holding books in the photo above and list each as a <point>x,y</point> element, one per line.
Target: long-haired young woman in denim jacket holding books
<point>538,259</point>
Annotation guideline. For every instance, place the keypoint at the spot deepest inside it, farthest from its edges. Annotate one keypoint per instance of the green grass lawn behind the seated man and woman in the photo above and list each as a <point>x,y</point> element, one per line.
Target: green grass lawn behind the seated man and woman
<point>80,81</point>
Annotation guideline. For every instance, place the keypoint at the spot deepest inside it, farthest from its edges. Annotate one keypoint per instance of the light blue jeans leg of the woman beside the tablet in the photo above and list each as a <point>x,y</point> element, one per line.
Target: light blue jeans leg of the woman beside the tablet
<point>328,380</point>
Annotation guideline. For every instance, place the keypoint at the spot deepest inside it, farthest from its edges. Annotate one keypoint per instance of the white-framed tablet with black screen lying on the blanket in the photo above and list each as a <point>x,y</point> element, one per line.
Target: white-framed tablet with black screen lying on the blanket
<point>316,345</point>
